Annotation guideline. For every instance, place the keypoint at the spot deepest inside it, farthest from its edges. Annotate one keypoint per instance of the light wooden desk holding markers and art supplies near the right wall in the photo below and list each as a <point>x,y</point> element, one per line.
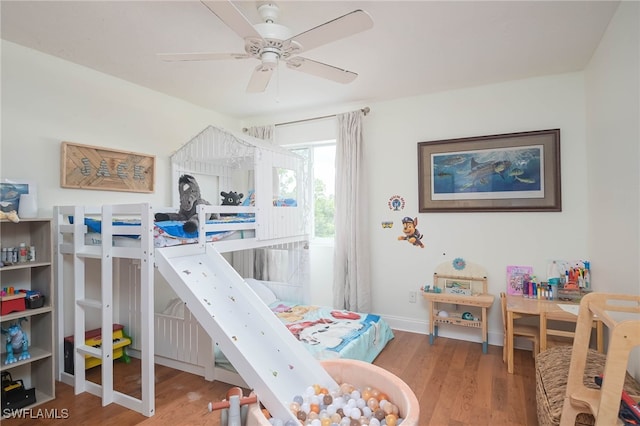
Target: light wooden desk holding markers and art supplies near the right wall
<point>519,306</point>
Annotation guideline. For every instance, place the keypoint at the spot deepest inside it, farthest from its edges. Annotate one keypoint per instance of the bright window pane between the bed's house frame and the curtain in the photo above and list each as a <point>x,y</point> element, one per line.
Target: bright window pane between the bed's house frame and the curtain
<point>321,167</point>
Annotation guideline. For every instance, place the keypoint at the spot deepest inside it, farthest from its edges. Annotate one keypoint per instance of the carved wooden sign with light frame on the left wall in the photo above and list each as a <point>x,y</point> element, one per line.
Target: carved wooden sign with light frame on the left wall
<point>92,167</point>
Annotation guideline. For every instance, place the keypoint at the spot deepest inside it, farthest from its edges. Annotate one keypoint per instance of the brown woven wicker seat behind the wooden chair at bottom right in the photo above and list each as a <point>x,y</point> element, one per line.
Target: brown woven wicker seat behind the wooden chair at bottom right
<point>552,371</point>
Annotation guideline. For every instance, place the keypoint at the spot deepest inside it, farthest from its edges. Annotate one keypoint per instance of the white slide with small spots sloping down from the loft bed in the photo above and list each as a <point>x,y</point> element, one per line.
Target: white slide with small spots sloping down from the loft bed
<point>263,351</point>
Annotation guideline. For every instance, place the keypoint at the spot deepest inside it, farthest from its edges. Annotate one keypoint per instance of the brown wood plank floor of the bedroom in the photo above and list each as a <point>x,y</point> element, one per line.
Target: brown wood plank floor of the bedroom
<point>456,384</point>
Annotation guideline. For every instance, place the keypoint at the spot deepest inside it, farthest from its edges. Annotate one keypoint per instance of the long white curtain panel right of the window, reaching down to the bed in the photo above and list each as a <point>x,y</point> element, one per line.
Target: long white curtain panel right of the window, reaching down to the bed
<point>351,282</point>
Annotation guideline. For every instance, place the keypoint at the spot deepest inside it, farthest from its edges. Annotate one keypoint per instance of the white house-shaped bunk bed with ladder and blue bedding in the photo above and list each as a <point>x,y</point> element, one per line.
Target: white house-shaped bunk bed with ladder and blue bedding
<point>124,239</point>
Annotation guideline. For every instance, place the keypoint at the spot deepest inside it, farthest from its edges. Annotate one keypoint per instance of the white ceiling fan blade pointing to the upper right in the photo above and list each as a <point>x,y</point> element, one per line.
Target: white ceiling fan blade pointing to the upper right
<point>344,26</point>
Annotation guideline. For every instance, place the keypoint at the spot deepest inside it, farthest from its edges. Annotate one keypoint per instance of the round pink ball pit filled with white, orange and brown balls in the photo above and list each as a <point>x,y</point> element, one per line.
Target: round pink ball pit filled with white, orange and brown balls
<point>359,379</point>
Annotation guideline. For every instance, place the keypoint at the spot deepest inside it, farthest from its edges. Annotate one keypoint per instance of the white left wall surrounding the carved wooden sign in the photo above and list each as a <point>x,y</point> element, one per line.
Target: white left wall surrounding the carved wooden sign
<point>46,100</point>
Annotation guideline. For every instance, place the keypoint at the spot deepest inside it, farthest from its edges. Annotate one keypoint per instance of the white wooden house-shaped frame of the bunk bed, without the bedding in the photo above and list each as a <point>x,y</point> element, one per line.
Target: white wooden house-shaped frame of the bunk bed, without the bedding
<point>124,292</point>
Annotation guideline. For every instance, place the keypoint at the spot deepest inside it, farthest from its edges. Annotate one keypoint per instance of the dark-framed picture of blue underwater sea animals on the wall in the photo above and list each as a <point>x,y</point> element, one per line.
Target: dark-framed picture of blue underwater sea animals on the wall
<point>498,173</point>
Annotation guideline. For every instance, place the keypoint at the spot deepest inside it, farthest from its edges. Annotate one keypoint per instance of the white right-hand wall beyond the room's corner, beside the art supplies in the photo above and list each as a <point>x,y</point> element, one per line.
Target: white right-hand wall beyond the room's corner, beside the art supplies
<point>613,156</point>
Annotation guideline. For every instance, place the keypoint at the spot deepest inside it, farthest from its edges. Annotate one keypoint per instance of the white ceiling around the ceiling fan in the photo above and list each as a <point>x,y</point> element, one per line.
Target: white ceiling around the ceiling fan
<point>414,47</point>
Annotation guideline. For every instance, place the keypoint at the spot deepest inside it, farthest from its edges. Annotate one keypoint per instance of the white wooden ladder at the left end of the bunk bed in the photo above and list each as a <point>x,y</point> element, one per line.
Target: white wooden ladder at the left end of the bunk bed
<point>105,305</point>
